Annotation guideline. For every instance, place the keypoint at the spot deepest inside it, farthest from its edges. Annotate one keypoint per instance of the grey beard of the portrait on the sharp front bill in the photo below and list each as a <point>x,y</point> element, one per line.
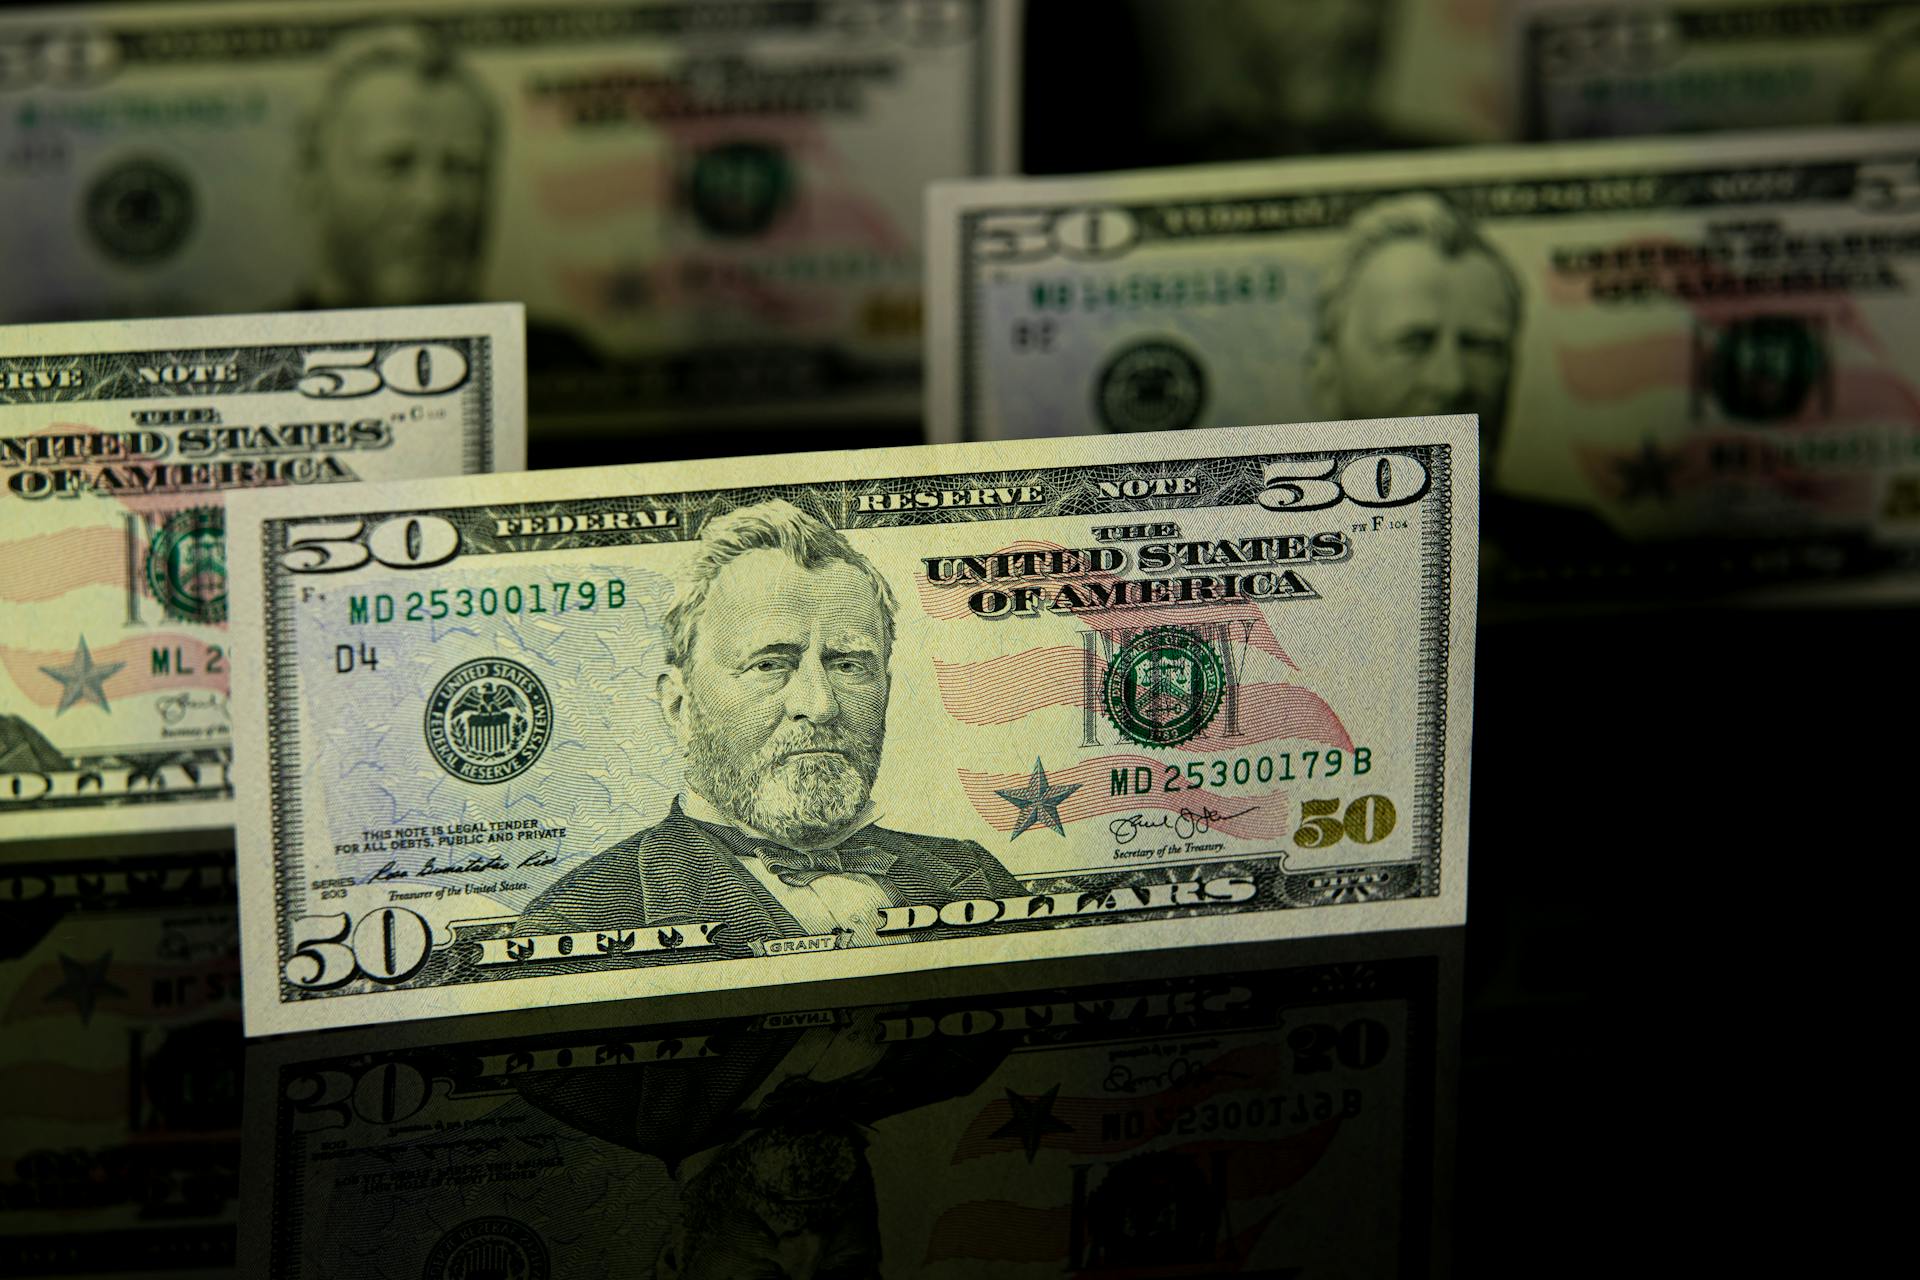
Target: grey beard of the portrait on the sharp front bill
<point>802,801</point>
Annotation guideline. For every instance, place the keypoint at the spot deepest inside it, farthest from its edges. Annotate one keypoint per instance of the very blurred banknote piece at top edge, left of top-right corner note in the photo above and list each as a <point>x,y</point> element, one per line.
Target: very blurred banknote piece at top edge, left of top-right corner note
<point>1243,80</point>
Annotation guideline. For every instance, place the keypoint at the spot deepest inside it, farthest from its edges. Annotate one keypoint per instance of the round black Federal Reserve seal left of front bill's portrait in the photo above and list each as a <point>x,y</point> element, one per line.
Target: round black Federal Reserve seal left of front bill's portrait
<point>489,721</point>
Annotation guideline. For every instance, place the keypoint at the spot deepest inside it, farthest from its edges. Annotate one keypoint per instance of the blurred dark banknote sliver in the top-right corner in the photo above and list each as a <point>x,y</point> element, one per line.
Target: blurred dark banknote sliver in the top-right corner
<point>1635,68</point>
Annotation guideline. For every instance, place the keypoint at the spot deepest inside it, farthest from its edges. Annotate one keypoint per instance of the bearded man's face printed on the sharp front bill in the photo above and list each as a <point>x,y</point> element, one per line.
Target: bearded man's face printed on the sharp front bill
<point>786,696</point>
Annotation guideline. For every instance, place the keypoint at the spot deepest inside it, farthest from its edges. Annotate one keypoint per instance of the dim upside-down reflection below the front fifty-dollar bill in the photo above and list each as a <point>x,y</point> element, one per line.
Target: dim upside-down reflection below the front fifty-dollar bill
<point>1280,1122</point>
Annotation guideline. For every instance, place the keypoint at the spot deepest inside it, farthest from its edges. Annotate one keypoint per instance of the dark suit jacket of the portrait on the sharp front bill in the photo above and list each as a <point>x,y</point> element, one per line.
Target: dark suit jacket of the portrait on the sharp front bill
<point>683,872</point>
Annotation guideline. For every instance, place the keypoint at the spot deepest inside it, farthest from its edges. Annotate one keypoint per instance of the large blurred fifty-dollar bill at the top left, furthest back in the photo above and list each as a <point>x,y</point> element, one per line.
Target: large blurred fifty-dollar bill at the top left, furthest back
<point>706,206</point>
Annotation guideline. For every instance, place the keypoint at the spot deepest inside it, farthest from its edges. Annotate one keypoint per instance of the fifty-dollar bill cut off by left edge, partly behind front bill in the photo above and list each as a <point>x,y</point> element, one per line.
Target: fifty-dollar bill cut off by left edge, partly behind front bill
<point>120,444</point>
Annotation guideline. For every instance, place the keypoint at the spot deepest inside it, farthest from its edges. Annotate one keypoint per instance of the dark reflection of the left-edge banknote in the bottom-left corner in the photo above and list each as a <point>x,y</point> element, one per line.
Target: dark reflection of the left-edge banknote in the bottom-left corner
<point>120,1058</point>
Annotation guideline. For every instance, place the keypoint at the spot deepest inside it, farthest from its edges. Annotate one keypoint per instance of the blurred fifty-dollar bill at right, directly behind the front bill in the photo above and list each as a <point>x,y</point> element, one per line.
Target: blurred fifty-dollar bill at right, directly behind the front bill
<point>1692,362</point>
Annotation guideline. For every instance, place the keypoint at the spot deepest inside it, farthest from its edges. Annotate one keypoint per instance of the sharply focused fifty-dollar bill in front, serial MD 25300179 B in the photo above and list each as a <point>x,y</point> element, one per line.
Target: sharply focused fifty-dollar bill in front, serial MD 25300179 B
<point>562,738</point>
